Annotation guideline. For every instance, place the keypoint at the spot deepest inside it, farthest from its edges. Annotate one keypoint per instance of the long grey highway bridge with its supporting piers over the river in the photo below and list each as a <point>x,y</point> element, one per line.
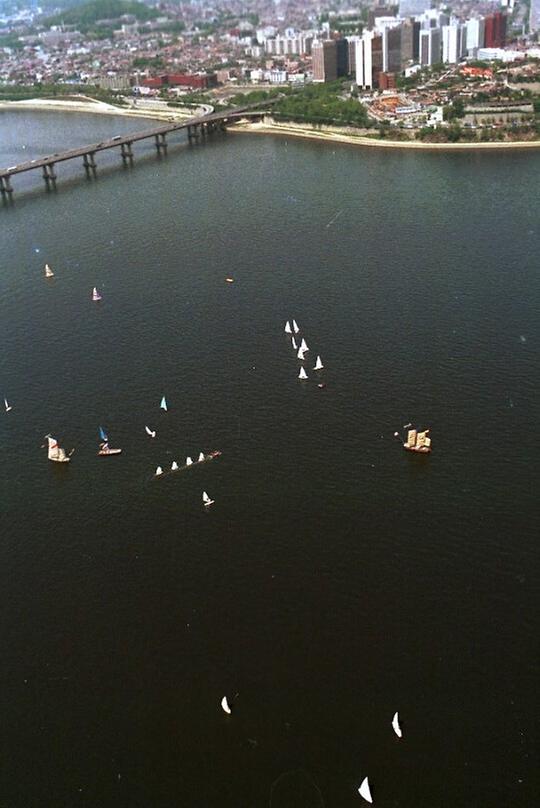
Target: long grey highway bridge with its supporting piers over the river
<point>197,127</point>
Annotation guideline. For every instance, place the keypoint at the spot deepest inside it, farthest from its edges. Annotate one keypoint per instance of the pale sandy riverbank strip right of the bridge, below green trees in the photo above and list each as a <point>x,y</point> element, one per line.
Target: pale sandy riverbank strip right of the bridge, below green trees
<point>347,135</point>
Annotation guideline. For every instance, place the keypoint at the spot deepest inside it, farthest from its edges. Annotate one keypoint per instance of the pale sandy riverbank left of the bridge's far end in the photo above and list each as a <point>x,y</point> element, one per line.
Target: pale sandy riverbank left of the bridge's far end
<point>85,104</point>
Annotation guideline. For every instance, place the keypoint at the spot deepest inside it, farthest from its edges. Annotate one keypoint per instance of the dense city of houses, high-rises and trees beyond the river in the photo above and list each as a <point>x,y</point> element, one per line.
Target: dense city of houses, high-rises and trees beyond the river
<point>461,70</point>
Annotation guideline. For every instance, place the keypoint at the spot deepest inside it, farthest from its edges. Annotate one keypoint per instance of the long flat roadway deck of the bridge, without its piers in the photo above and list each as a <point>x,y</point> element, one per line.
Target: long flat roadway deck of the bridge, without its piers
<point>119,140</point>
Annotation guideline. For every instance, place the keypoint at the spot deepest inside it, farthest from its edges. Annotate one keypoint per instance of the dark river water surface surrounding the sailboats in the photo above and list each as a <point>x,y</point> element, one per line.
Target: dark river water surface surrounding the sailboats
<point>337,579</point>
